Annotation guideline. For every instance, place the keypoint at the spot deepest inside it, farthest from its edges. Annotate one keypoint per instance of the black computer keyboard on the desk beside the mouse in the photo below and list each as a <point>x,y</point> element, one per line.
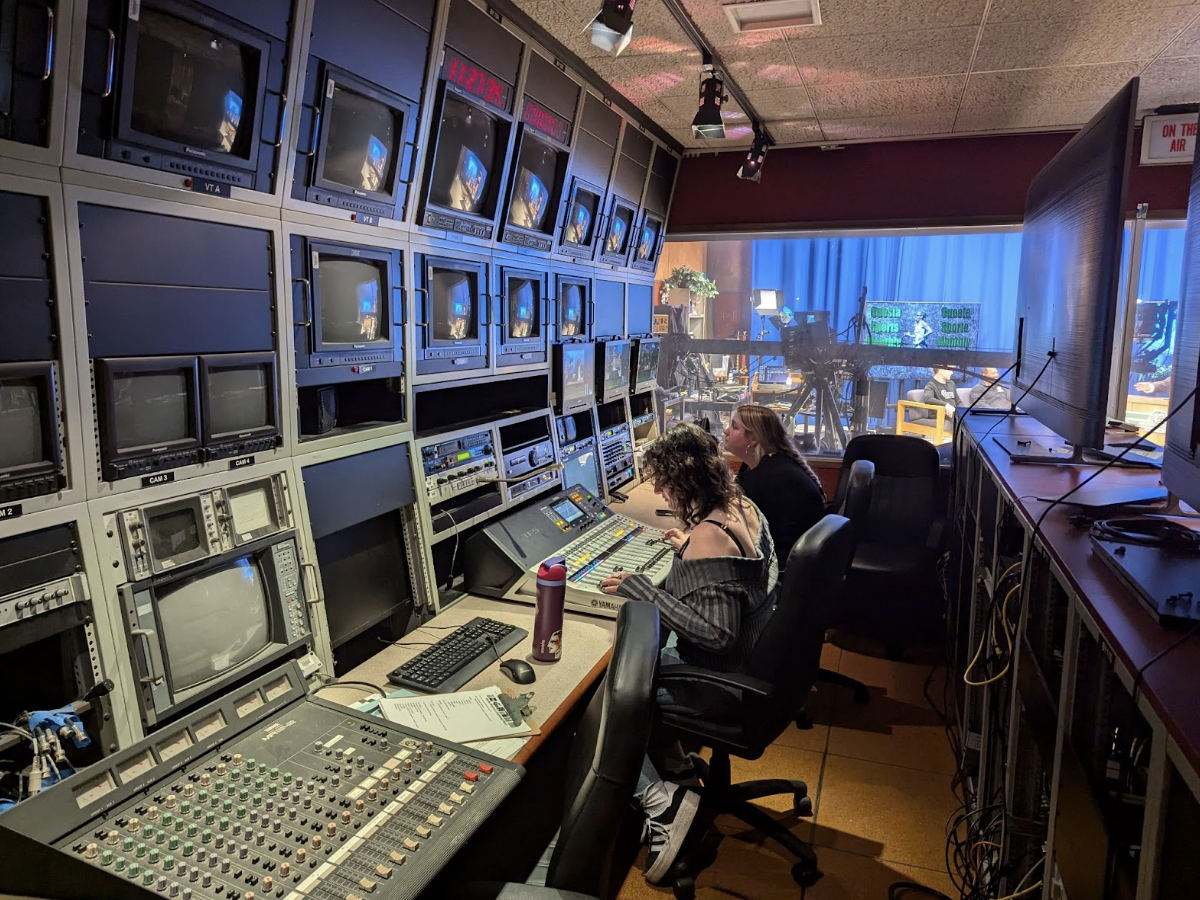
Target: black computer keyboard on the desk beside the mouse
<point>459,657</point>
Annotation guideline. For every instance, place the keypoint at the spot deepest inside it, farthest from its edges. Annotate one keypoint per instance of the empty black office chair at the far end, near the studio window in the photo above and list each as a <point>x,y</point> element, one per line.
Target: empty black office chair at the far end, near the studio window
<point>890,592</point>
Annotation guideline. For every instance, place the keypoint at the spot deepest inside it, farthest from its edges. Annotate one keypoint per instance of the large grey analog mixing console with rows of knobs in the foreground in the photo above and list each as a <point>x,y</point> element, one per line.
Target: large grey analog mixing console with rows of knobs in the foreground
<point>266,794</point>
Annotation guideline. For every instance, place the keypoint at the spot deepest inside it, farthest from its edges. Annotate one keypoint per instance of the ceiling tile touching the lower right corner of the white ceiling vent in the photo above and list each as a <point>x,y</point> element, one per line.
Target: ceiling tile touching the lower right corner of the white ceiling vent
<point>869,58</point>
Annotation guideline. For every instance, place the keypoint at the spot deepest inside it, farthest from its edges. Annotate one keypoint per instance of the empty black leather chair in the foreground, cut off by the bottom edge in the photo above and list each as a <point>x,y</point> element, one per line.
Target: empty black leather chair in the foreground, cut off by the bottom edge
<point>602,773</point>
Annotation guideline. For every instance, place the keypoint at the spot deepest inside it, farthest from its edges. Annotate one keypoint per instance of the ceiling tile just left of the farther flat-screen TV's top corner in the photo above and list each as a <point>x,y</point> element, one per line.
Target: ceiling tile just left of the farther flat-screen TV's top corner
<point>1063,85</point>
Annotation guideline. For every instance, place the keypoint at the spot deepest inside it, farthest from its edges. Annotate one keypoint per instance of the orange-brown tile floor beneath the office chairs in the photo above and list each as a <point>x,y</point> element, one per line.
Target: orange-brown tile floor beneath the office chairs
<point>880,781</point>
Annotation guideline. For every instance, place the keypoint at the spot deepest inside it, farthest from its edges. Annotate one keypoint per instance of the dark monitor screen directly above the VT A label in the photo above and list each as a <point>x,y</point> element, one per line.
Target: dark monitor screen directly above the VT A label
<point>194,86</point>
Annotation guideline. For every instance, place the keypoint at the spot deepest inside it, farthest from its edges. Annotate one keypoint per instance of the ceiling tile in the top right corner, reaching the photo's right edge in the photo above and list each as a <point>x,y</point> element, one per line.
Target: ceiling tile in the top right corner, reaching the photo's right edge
<point>1081,41</point>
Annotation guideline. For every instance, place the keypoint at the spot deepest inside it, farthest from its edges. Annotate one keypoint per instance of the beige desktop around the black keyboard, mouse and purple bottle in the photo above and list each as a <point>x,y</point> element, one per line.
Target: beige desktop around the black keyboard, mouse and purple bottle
<point>587,646</point>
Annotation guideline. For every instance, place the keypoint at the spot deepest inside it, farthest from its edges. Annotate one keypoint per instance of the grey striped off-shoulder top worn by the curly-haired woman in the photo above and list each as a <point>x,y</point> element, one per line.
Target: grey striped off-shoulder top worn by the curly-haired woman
<point>719,607</point>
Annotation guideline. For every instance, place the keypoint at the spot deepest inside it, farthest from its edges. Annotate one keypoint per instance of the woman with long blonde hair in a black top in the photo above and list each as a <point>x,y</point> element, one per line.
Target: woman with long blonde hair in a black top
<point>775,476</point>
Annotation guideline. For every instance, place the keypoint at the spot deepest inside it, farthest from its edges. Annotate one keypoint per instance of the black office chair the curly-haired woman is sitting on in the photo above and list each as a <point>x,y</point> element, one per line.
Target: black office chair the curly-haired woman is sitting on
<point>785,663</point>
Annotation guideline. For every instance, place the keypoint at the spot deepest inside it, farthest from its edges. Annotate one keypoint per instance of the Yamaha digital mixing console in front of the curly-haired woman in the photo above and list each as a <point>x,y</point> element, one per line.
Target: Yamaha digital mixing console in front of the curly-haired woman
<point>503,559</point>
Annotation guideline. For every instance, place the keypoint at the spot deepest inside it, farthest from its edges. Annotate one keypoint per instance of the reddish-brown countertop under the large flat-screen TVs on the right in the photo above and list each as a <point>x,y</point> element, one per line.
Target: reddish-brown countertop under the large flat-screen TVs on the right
<point>1126,626</point>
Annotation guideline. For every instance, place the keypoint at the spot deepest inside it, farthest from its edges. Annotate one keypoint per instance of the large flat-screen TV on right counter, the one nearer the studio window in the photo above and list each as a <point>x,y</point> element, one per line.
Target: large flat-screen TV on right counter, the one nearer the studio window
<point>1070,275</point>
